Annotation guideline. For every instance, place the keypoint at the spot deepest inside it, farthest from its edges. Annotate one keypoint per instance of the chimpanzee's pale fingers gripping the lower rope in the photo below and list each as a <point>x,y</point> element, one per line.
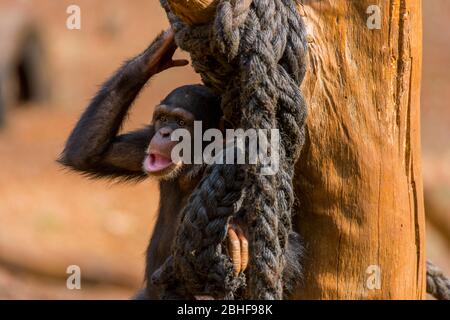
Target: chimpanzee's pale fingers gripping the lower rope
<point>237,247</point>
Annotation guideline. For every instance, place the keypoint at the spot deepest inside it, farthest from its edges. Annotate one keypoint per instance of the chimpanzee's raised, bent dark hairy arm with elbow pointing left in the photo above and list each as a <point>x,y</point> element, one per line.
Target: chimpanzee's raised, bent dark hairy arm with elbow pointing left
<point>94,147</point>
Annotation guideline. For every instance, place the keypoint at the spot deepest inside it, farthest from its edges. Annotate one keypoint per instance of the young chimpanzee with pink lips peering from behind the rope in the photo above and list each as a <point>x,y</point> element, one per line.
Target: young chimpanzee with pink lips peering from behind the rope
<point>95,148</point>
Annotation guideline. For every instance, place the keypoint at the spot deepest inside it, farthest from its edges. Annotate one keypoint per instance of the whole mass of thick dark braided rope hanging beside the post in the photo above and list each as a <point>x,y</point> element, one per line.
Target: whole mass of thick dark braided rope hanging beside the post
<point>253,55</point>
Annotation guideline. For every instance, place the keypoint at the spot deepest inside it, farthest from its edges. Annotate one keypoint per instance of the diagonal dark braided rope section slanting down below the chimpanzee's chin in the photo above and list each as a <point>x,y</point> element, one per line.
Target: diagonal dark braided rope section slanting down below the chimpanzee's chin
<point>198,264</point>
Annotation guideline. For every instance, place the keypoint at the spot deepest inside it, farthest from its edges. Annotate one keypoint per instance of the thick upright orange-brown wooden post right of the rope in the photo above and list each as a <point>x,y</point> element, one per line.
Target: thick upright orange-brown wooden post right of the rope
<point>359,180</point>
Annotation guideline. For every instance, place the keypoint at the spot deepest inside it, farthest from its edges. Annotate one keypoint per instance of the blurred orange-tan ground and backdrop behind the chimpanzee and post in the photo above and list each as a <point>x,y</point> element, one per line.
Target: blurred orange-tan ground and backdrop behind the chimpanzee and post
<point>51,218</point>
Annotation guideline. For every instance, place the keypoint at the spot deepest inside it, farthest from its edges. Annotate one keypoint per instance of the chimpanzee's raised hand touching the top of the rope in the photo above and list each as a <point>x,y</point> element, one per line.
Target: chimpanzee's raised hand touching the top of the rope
<point>163,49</point>
